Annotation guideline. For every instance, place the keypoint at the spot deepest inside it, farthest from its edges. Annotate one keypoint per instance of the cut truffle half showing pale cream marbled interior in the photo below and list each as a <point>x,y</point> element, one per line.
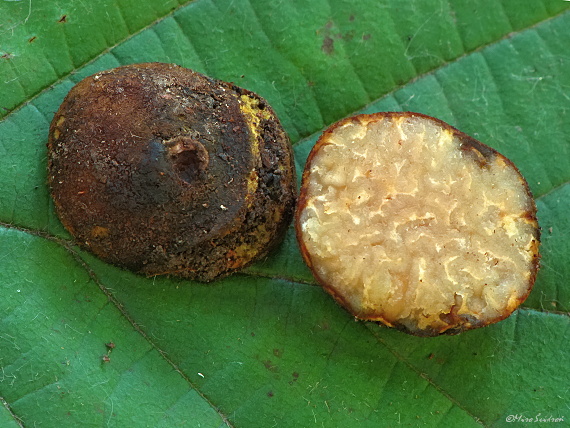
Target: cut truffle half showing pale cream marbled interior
<point>407,221</point>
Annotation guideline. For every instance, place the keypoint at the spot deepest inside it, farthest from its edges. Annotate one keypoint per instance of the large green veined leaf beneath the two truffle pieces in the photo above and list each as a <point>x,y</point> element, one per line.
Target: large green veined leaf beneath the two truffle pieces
<point>266,347</point>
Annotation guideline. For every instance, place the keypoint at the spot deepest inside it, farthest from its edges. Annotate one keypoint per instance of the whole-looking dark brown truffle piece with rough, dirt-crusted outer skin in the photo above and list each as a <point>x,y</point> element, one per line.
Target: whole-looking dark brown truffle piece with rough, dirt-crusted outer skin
<point>162,170</point>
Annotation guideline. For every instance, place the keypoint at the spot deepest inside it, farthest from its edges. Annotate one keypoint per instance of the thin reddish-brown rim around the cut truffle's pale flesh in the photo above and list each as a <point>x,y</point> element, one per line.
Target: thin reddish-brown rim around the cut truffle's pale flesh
<point>453,321</point>
